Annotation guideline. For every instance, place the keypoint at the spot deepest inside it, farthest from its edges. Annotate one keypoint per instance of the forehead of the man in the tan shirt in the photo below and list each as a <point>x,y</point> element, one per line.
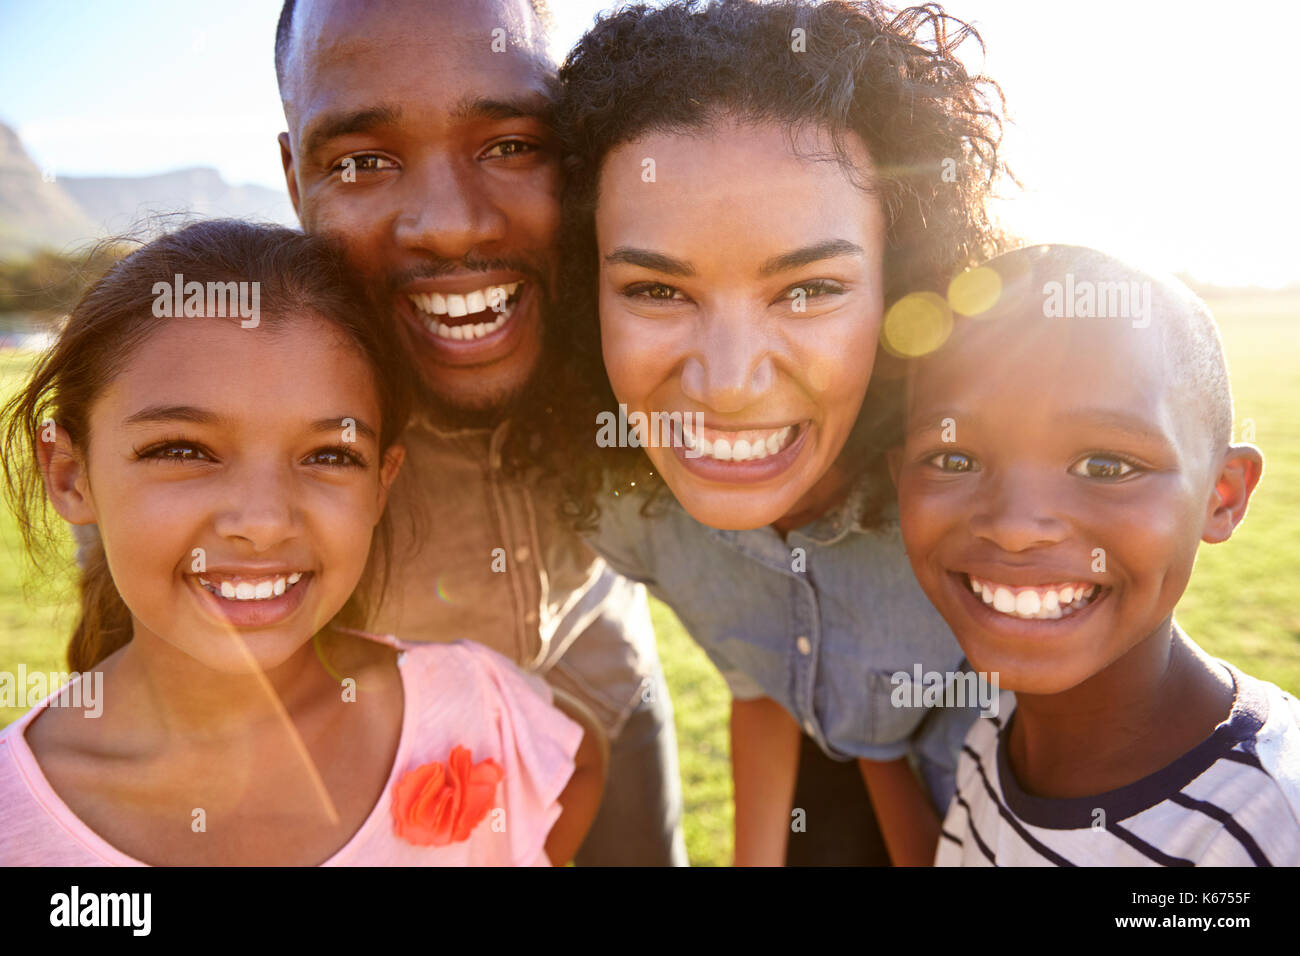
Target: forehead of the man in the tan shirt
<point>426,58</point>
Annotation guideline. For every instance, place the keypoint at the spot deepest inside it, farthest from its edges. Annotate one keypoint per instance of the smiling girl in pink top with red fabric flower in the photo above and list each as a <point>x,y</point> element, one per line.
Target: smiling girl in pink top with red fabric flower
<point>236,462</point>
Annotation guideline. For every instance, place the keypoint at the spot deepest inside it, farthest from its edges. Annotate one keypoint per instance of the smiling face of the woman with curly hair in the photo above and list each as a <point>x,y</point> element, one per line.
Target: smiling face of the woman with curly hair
<point>740,287</point>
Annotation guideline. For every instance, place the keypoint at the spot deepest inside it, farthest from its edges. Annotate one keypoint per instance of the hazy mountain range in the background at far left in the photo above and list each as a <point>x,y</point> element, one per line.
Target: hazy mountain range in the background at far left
<point>73,210</point>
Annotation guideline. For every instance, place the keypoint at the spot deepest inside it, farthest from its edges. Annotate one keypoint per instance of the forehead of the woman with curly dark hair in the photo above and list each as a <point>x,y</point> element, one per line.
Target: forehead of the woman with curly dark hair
<point>743,181</point>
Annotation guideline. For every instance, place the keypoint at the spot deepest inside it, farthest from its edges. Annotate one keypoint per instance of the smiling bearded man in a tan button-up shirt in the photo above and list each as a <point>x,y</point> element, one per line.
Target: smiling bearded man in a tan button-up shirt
<point>418,135</point>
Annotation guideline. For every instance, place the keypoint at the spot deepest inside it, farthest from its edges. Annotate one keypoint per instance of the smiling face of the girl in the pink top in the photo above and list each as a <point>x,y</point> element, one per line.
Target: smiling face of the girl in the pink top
<point>236,478</point>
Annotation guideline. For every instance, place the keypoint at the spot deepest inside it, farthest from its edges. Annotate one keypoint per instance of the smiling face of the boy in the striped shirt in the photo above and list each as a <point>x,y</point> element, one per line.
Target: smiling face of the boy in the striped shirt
<point>1046,457</point>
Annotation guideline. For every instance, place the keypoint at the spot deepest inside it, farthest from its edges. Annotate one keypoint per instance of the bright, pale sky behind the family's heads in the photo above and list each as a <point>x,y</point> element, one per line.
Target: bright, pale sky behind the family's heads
<point>1160,131</point>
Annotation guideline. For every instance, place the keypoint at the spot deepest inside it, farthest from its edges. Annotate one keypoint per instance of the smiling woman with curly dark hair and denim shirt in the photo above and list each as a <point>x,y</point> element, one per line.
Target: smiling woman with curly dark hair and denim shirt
<point>751,187</point>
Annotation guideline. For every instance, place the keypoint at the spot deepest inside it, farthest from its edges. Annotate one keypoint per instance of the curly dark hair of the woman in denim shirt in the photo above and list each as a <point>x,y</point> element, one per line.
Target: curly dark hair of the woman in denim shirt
<point>891,77</point>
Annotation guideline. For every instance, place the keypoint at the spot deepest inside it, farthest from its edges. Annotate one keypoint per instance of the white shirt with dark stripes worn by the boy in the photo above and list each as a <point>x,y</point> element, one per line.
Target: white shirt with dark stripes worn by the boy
<point>1233,801</point>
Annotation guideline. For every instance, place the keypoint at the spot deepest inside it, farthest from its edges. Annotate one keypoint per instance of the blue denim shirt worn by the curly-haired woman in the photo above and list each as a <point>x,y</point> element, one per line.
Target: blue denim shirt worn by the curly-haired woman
<point>818,622</point>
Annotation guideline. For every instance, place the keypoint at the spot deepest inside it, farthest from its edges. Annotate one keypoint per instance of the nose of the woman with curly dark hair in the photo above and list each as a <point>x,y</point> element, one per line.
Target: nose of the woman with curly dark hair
<point>731,367</point>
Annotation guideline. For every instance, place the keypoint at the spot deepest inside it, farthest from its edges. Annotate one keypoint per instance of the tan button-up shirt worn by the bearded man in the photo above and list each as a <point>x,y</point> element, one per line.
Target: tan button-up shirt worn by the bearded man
<point>482,557</point>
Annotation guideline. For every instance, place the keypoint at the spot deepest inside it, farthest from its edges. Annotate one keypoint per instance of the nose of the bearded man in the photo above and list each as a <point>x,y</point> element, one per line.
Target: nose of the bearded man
<point>448,210</point>
